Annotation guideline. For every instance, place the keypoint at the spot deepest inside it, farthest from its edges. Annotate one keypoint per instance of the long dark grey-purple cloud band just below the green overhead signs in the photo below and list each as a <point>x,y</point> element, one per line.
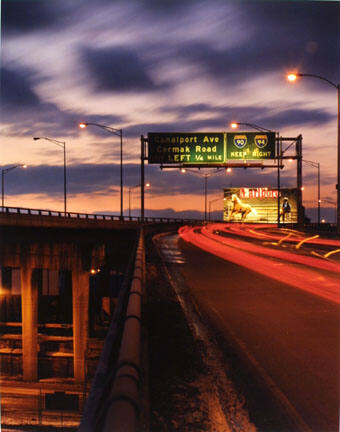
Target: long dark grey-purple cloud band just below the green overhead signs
<point>94,178</point>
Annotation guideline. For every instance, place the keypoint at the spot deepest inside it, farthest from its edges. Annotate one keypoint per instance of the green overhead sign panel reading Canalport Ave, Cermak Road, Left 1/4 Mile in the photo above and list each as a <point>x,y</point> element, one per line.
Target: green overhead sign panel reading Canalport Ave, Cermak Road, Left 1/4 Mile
<point>181,148</point>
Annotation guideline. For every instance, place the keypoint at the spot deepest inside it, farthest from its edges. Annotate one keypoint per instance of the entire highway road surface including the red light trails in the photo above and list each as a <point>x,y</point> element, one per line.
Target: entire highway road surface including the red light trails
<point>274,296</point>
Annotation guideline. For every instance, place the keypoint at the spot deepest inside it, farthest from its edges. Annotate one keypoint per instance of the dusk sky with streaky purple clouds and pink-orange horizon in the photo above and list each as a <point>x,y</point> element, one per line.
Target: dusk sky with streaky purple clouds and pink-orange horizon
<point>161,66</point>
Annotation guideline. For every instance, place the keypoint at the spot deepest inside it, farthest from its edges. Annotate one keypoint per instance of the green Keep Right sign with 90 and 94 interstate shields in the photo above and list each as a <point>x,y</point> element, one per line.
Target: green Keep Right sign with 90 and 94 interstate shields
<point>250,145</point>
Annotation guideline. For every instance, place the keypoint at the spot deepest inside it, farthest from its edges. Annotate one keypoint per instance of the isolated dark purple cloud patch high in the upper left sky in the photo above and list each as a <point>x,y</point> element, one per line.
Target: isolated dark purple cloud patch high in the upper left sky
<point>119,69</point>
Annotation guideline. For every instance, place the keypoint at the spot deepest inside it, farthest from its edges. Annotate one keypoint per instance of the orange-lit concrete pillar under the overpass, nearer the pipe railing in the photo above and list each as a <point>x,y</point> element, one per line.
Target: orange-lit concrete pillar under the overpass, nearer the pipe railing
<point>80,307</point>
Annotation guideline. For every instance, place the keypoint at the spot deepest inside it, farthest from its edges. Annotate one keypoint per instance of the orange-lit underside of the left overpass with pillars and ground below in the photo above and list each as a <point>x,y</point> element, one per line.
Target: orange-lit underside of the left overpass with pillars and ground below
<point>58,289</point>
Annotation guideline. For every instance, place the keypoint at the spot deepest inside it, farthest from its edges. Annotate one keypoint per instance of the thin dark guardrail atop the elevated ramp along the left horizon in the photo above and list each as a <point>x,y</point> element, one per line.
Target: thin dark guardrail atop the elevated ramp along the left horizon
<point>94,216</point>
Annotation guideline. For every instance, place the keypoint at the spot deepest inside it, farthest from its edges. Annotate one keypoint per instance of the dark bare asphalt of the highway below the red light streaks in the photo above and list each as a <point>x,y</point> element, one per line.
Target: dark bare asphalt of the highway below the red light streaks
<point>289,336</point>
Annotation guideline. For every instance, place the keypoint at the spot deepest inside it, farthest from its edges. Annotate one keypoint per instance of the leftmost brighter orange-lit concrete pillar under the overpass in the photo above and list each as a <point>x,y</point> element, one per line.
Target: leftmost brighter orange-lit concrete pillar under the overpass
<point>29,307</point>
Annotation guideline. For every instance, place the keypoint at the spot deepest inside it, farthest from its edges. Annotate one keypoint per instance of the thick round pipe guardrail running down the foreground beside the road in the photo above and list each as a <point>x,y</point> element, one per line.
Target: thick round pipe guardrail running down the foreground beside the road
<point>113,401</point>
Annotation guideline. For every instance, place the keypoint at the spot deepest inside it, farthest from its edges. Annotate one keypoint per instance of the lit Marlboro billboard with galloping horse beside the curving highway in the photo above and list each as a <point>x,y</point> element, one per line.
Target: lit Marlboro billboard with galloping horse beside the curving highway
<point>259,205</point>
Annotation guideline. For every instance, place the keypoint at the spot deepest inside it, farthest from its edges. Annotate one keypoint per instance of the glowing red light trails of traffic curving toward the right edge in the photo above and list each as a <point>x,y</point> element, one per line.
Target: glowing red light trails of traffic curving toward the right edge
<point>315,275</point>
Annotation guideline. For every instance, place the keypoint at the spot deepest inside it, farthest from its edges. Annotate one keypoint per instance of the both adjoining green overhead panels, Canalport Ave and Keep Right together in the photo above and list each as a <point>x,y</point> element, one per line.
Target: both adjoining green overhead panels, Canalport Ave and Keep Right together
<point>210,147</point>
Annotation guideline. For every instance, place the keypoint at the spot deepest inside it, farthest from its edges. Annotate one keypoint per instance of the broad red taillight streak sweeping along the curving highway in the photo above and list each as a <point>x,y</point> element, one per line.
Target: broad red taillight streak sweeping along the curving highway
<point>247,255</point>
